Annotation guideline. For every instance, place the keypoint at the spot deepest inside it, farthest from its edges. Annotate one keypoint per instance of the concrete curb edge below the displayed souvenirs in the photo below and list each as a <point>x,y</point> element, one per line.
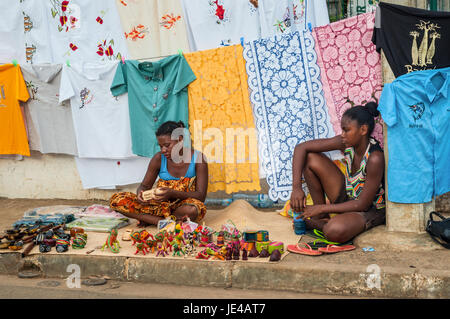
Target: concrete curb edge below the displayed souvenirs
<point>336,279</point>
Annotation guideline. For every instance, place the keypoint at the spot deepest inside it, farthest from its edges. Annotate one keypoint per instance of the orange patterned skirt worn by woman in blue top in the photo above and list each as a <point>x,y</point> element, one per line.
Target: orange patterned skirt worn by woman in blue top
<point>126,202</point>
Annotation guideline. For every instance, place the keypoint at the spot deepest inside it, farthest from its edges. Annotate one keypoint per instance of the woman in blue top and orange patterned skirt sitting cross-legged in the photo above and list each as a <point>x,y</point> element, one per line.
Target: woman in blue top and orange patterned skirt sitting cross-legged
<point>182,184</point>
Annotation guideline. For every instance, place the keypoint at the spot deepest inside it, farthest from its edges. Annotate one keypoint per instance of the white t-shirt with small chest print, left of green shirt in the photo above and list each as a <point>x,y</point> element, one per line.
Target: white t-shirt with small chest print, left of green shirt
<point>101,121</point>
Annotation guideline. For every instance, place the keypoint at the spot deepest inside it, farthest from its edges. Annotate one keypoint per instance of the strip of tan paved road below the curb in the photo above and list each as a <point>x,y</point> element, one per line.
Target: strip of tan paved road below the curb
<point>13,287</point>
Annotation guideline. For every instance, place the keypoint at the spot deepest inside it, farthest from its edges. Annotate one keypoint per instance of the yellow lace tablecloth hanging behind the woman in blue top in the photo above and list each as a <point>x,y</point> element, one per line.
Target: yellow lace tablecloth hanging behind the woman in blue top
<point>221,120</point>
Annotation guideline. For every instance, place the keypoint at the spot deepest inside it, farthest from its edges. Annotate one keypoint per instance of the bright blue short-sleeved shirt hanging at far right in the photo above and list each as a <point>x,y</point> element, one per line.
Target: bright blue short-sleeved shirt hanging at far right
<point>416,110</point>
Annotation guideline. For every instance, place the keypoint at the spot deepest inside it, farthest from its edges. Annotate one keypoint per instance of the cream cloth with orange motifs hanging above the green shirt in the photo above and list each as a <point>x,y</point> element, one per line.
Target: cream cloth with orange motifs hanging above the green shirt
<point>153,28</point>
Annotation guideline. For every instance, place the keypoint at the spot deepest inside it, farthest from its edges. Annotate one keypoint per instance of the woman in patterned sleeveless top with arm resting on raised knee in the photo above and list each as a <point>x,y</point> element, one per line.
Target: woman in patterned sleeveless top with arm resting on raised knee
<point>356,197</point>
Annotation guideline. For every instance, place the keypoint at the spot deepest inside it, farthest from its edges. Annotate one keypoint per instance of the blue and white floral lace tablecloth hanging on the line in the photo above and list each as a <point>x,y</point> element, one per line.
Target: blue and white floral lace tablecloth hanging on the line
<point>287,100</point>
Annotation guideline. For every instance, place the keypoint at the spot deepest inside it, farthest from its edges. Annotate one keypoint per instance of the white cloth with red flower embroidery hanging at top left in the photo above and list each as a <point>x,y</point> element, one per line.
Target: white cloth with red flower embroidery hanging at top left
<point>84,30</point>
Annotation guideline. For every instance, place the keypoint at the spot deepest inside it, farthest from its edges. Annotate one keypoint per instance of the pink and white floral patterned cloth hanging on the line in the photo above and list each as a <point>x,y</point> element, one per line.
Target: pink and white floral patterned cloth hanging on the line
<point>350,67</point>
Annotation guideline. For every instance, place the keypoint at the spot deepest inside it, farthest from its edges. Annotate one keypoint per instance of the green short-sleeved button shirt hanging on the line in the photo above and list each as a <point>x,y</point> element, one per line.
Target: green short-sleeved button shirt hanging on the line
<point>157,93</point>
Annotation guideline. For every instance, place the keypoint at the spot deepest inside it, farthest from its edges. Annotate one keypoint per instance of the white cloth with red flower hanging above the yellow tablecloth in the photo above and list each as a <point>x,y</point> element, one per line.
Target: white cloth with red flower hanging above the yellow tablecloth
<point>215,23</point>
